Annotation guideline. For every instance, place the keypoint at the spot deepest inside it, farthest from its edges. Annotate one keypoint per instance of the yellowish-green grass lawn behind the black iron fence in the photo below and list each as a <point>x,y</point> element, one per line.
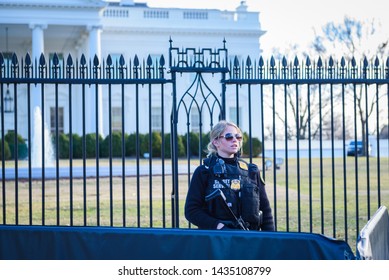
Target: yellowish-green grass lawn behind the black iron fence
<point>317,206</point>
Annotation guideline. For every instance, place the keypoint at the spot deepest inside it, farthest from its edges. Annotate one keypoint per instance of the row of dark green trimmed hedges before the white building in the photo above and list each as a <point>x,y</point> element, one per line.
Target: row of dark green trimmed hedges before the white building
<point>188,145</point>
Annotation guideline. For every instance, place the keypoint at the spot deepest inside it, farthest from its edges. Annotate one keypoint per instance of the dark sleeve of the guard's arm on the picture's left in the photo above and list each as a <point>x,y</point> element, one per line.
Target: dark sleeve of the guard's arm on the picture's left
<point>195,207</point>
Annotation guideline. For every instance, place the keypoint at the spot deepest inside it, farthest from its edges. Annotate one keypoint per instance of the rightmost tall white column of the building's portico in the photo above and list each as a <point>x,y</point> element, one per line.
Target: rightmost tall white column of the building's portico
<point>94,50</point>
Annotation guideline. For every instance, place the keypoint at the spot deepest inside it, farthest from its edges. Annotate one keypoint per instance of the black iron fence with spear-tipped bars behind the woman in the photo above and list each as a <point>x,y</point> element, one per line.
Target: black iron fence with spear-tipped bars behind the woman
<point>127,134</point>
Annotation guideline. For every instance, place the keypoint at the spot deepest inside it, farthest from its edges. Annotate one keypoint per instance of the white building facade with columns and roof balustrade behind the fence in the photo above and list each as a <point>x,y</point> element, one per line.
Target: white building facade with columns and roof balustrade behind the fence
<point>102,28</point>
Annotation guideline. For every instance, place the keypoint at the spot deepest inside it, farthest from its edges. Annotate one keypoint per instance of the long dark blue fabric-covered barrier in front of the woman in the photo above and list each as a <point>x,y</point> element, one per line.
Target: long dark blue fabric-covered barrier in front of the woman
<point>106,243</point>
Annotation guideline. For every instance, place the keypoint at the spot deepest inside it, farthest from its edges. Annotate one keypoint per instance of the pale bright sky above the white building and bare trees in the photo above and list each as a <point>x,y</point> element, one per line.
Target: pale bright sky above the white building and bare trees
<point>292,21</point>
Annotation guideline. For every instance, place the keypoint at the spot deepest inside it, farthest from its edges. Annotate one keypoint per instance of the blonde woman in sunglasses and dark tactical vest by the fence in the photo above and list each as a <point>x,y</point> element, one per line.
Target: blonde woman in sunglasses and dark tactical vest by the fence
<point>226,192</point>
